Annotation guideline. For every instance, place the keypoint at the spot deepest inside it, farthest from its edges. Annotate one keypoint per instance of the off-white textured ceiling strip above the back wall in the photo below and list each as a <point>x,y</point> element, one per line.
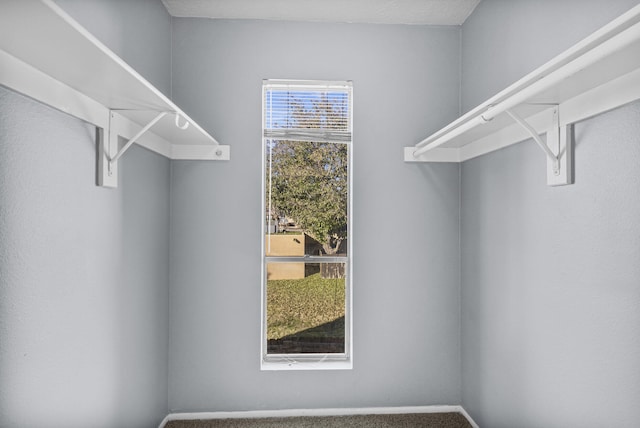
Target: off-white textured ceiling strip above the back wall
<point>425,12</point>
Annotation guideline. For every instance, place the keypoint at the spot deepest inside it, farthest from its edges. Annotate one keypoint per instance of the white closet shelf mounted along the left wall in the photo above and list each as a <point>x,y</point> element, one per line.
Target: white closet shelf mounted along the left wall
<point>39,37</point>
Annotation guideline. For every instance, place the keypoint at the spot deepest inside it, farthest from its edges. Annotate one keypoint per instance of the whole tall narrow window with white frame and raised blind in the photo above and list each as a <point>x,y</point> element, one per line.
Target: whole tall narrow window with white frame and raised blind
<point>306,285</point>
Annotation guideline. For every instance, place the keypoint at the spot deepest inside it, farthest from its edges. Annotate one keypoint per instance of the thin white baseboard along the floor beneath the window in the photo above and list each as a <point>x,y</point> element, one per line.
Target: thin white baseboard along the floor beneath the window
<point>252,414</point>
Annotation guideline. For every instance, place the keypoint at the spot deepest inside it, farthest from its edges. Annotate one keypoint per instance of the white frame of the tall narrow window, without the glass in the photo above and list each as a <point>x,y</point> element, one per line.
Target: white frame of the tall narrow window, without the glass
<point>328,361</point>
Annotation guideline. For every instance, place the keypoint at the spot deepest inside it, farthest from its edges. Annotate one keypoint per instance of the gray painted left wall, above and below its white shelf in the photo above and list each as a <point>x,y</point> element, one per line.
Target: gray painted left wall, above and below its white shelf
<point>84,271</point>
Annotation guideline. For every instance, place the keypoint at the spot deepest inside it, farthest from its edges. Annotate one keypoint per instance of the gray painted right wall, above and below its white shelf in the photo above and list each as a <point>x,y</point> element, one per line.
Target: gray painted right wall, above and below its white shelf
<point>550,288</point>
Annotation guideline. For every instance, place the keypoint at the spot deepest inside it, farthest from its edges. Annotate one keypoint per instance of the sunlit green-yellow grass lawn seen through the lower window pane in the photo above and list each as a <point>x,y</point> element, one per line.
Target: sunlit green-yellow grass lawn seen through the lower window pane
<point>301,305</point>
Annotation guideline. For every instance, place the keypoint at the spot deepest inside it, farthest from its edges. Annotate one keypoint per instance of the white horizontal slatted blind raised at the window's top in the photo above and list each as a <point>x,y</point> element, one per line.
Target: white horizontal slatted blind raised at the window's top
<point>299,112</point>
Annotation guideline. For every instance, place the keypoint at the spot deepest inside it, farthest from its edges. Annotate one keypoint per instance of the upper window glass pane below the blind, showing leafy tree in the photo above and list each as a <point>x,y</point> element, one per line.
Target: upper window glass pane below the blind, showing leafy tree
<point>306,194</point>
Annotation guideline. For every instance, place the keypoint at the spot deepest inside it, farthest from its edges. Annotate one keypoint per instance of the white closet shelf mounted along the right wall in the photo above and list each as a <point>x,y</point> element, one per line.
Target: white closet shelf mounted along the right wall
<point>599,73</point>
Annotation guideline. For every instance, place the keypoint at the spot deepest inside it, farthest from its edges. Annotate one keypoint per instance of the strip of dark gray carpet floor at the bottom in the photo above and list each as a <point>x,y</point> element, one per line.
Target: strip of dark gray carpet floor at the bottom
<point>414,420</point>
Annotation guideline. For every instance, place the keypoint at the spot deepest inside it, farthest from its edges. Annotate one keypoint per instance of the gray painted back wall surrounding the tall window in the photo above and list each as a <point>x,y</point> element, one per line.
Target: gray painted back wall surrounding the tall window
<point>405,233</point>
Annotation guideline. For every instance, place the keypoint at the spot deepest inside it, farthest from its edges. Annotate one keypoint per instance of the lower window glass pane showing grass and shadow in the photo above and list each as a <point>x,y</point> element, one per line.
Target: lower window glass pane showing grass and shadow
<point>305,308</point>
